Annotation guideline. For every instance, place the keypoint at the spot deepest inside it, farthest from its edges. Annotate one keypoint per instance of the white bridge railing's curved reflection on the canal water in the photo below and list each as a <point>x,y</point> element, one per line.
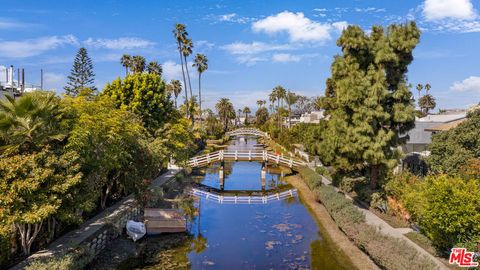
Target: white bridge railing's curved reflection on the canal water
<point>242,199</point>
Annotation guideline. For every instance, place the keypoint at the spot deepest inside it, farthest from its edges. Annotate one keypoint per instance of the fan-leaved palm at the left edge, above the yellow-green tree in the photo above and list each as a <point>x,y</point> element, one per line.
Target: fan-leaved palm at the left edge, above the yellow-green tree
<point>29,123</point>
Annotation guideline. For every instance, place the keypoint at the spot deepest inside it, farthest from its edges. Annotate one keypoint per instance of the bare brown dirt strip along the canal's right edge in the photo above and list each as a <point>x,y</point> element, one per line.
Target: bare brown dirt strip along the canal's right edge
<point>358,258</point>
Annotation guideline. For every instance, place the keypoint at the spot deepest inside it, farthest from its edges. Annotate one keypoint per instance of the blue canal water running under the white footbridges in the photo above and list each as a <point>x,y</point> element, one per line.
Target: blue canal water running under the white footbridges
<point>278,235</point>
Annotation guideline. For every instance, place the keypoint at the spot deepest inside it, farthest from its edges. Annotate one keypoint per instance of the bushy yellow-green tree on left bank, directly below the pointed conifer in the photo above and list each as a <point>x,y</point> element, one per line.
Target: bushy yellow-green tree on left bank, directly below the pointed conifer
<point>109,141</point>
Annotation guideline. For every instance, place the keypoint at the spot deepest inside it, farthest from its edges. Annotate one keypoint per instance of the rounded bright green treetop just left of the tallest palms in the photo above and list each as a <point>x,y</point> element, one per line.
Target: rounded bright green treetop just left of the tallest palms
<point>145,95</point>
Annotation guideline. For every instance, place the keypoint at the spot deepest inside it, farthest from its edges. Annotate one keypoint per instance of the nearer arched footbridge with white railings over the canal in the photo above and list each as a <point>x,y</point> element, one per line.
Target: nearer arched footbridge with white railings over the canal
<point>245,155</point>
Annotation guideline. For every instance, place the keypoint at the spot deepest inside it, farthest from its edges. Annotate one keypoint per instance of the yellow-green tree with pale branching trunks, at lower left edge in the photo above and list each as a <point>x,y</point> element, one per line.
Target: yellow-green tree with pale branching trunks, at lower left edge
<point>33,186</point>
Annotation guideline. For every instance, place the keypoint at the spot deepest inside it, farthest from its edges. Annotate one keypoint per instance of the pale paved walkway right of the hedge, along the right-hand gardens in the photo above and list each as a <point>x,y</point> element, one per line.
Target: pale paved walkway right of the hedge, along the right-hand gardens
<point>372,219</point>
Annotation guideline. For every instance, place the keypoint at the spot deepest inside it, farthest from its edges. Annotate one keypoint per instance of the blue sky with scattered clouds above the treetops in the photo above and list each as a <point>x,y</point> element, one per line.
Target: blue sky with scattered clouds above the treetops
<point>252,46</point>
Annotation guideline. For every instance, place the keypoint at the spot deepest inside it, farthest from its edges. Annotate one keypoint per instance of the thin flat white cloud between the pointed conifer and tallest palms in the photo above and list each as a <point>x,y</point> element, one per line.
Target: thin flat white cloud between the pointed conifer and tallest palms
<point>123,43</point>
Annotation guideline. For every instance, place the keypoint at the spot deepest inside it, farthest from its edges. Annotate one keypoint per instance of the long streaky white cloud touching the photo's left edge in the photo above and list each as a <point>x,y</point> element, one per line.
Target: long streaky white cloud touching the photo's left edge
<point>32,47</point>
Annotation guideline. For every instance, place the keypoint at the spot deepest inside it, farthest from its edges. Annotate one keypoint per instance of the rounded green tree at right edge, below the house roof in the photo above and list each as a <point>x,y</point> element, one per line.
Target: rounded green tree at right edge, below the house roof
<point>451,149</point>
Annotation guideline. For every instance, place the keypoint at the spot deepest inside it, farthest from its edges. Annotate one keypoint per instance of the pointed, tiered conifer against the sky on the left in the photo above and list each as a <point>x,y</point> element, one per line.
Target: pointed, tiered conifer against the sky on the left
<point>81,76</point>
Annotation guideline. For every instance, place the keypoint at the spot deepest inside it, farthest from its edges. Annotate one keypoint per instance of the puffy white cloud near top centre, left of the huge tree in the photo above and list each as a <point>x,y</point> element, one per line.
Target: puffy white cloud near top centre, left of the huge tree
<point>298,27</point>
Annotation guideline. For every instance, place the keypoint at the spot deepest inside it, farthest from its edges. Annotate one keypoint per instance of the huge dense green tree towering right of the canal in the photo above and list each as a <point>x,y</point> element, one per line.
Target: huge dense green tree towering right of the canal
<point>367,99</point>
